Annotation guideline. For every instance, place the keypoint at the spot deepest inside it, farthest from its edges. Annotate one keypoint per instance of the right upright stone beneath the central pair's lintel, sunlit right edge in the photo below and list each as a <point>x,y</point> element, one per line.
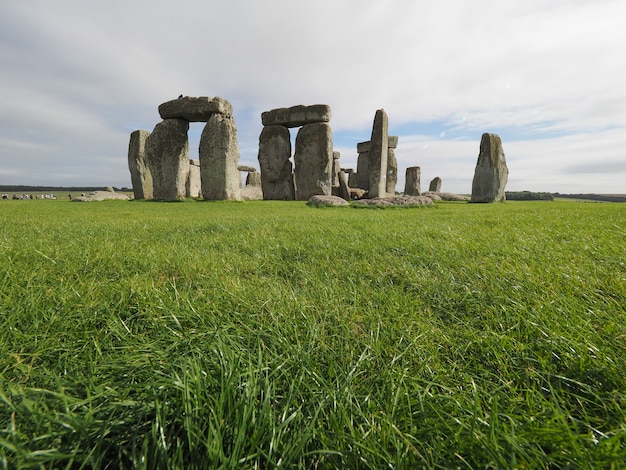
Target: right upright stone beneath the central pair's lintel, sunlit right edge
<point>313,161</point>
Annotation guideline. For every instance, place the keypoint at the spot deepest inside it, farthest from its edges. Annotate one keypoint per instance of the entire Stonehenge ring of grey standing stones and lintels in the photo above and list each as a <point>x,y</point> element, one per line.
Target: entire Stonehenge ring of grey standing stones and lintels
<point>161,169</point>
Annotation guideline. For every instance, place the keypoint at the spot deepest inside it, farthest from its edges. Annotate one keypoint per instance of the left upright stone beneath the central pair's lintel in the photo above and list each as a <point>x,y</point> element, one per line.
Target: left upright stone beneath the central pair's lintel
<point>277,180</point>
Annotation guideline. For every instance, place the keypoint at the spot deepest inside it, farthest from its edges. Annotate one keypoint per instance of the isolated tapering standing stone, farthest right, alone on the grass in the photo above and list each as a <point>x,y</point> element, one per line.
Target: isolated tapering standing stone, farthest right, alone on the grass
<point>491,174</point>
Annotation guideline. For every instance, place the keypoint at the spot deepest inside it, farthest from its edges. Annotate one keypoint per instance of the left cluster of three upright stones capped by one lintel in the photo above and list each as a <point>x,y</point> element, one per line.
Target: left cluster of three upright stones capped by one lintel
<point>159,161</point>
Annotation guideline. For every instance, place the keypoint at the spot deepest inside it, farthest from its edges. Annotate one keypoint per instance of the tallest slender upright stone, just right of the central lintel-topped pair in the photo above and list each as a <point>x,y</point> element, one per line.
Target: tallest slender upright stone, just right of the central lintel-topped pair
<point>377,158</point>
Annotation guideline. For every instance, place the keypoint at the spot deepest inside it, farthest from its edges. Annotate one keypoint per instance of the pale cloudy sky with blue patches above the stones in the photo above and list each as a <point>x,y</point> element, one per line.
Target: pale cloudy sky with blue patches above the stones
<point>549,77</point>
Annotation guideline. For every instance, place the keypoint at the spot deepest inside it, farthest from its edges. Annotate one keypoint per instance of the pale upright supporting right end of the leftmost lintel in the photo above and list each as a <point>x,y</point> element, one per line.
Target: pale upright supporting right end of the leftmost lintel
<point>219,156</point>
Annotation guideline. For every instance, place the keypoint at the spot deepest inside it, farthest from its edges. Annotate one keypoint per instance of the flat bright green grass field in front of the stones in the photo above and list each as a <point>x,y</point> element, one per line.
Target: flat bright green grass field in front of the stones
<point>251,335</point>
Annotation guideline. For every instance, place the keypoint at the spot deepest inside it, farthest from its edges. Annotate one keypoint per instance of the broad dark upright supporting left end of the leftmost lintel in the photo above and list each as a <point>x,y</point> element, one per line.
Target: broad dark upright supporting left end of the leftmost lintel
<point>167,156</point>
